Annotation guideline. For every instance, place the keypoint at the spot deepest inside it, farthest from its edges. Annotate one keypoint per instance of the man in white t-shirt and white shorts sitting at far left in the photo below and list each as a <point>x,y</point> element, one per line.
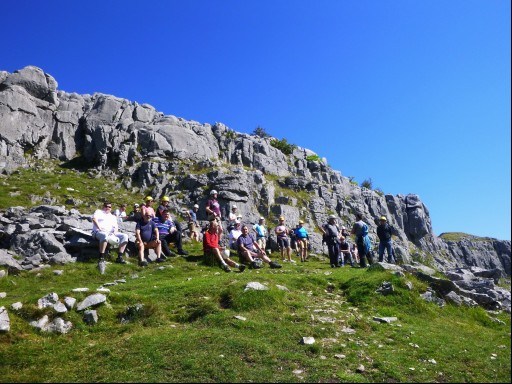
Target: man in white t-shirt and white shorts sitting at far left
<point>104,224</point>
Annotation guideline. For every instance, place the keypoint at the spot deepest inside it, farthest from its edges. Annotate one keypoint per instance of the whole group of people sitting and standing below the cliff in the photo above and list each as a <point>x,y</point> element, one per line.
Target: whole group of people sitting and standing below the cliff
<point>155,229</point>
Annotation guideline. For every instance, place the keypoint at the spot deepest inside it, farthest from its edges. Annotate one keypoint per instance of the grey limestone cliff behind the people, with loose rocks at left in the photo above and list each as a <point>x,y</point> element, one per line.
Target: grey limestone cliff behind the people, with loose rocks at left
<point>185,160</point>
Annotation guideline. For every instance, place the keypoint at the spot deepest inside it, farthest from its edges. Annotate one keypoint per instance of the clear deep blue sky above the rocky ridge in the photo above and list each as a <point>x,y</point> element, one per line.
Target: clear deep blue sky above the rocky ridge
<point>412,94</point>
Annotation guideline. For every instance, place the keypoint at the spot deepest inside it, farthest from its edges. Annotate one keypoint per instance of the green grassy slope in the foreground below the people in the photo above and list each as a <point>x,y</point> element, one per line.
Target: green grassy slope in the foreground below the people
<point>187,330</point>
